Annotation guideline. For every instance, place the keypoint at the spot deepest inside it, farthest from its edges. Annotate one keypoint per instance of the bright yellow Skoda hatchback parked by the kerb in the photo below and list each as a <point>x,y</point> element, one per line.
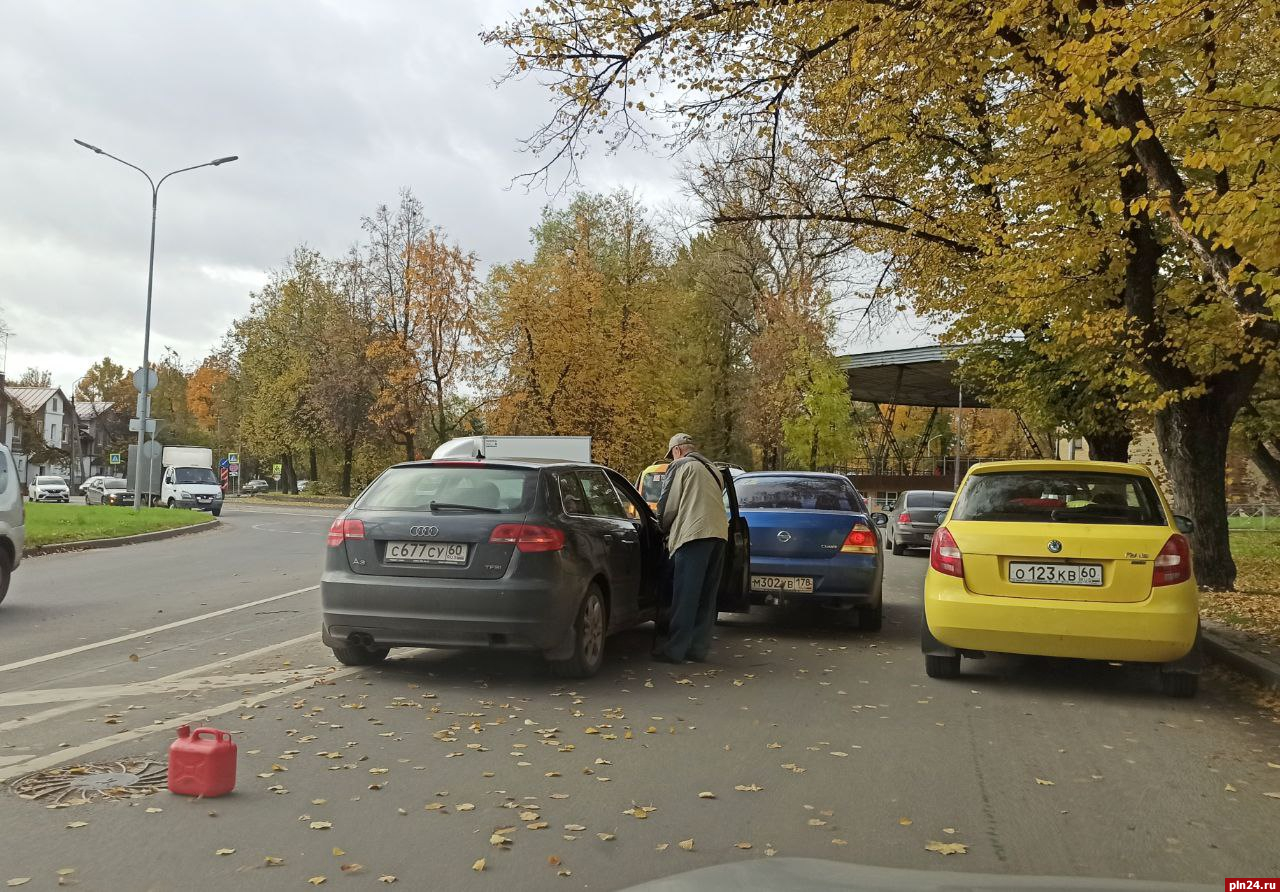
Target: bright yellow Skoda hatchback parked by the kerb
<point>1080,560</point>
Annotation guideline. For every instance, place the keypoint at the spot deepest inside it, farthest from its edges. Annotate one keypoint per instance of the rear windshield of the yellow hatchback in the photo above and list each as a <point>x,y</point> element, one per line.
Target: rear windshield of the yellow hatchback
<point>1060,497</point>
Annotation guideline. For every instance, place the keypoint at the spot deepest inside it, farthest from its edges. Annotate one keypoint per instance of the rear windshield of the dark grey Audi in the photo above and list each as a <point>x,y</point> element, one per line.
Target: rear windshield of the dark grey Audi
<point>506,490</point>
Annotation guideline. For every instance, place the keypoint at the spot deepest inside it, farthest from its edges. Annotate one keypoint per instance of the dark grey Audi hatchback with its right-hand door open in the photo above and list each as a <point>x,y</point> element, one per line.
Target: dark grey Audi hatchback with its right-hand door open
<point>522,555</point>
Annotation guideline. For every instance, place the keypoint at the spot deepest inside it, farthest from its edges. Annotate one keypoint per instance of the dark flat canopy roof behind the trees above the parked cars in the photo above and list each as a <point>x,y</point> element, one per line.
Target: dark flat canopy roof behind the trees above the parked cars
<point>913,377</point>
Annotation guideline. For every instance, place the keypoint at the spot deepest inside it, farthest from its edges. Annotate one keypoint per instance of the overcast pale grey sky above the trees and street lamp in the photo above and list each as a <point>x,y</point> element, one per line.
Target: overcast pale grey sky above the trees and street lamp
<point>332,107</point>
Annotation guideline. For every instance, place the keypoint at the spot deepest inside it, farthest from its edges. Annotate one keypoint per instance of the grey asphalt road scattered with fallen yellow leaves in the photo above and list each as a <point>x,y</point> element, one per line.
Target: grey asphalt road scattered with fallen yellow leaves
<point>812,740</point>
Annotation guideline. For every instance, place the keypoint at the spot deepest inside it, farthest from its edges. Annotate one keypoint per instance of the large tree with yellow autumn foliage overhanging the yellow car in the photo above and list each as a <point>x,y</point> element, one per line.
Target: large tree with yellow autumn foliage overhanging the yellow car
<point>1104,173</point>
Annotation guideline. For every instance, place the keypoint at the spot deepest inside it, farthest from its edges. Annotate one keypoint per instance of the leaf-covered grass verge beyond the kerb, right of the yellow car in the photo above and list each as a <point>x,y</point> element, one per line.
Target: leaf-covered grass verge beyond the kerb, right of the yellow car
<point>1255,606</point>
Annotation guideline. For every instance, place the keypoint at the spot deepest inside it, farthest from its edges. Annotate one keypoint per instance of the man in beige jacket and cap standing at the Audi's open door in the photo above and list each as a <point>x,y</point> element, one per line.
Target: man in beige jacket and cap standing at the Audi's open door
<point>692,514</point>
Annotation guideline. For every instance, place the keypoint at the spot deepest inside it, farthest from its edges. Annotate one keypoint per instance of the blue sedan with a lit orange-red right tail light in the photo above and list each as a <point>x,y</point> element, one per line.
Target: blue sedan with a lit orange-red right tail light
<point>813,543</point>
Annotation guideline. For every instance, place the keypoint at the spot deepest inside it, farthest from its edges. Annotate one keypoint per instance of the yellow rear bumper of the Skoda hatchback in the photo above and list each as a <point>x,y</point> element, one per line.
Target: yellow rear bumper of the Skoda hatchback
<point>1158,630</point>
